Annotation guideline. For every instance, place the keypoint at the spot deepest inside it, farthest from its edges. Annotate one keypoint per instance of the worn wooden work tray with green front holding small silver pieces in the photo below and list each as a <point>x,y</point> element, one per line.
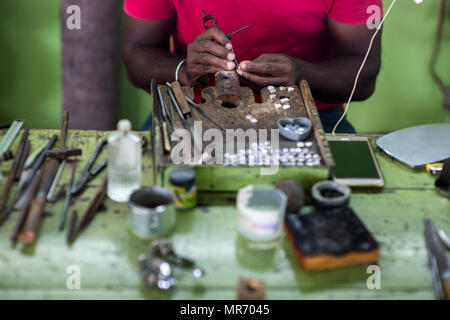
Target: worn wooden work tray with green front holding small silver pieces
<point>231,178</point>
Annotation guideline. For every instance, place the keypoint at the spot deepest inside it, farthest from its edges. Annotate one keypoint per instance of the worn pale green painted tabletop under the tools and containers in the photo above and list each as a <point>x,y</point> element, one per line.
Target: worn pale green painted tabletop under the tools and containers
<point>106,252</point>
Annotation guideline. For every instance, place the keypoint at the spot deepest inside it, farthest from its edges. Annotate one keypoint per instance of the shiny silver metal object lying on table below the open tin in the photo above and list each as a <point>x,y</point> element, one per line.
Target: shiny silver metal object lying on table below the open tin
<point>156,267</point>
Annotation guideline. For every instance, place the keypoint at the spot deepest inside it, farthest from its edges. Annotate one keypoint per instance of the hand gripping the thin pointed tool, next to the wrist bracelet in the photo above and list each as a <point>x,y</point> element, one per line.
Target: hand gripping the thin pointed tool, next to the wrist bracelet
<point>210,52</point>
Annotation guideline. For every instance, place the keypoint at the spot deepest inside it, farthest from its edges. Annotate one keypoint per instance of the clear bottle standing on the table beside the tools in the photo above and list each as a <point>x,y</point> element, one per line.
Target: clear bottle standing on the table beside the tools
<point>124,162</point>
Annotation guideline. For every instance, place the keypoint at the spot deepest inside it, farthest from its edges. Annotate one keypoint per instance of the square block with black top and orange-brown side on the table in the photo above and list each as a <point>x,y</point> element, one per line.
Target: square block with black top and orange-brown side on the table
<point>330,239</point>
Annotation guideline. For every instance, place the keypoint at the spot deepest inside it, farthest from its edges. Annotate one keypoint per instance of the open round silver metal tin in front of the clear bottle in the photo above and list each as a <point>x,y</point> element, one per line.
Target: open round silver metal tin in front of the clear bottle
<point>151,212</point>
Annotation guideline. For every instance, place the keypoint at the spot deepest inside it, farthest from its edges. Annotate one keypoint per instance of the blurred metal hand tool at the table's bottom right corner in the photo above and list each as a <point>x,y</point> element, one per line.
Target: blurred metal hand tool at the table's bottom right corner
<point>437,258</point>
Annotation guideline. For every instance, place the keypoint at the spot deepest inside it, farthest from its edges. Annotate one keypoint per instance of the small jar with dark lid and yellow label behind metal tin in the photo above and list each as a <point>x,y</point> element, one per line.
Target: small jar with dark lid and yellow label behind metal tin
<point>184,187</point>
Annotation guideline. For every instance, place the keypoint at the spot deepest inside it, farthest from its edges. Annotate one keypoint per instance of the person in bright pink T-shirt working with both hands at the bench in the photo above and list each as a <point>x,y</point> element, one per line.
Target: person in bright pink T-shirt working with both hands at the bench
<point>322,41</point>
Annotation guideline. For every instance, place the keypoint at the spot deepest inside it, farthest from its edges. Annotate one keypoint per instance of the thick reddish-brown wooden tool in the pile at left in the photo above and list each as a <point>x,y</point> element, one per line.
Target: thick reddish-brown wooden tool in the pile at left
<point>31,227</point>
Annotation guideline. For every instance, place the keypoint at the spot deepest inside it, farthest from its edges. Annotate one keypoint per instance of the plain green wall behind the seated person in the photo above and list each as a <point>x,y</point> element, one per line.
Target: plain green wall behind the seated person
<point>30,69</point>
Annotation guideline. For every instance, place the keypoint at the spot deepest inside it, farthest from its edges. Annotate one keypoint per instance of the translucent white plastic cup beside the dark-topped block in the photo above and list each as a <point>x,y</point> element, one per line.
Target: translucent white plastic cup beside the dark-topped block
<point>261,210</point>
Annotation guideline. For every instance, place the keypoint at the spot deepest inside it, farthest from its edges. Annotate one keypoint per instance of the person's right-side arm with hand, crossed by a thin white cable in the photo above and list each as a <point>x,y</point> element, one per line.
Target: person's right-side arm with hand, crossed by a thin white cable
<point>331,81</point>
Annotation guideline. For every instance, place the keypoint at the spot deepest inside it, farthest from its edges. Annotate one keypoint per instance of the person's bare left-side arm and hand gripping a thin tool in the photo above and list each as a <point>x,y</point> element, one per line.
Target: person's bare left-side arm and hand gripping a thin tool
<point>147,56</point>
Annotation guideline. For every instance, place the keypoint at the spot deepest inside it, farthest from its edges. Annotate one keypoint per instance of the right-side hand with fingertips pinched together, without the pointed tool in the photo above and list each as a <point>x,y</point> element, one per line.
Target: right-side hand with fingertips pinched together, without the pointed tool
<point>270,69</point>
